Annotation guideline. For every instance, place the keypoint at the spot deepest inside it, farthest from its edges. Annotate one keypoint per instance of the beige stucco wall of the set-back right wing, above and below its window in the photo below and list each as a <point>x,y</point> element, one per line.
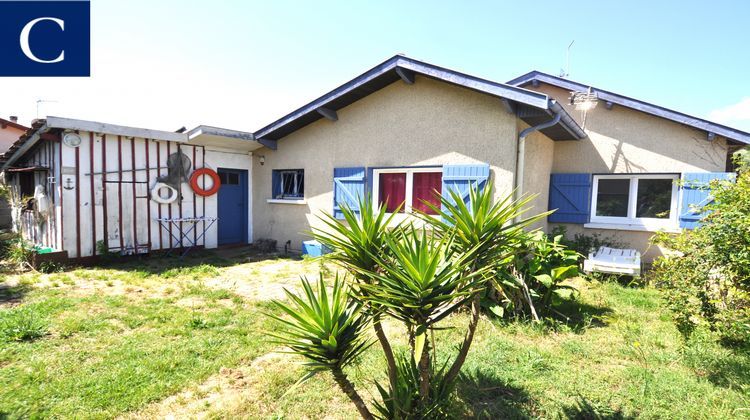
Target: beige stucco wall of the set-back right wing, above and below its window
<point>623,140</point>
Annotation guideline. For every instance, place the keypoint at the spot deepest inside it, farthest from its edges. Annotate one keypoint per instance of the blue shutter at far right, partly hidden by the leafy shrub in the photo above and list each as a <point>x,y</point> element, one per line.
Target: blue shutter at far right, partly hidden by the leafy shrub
<point>695,195</point>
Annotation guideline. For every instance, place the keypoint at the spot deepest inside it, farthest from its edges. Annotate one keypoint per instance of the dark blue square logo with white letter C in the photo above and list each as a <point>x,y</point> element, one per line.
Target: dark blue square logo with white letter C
<point>45,38</point>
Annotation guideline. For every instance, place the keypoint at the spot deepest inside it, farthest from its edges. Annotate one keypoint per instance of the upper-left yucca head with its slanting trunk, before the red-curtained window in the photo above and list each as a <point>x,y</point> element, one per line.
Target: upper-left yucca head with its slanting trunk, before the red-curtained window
<point>357,244</point>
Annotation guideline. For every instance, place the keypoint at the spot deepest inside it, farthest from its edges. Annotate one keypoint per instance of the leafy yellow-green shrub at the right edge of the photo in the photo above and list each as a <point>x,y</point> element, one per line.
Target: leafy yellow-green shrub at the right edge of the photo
<point>707,280</point>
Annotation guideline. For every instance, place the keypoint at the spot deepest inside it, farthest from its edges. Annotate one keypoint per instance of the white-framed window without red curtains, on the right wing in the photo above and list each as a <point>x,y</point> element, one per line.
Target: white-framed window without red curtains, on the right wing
<point>639,201</point>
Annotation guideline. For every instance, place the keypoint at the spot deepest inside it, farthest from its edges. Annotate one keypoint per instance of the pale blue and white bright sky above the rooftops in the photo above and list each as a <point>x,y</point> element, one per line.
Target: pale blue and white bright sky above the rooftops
<point>165,64</point>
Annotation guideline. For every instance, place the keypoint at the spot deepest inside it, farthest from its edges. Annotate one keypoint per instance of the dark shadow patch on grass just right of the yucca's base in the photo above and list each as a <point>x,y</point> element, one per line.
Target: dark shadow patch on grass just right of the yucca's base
<point>488,397</point>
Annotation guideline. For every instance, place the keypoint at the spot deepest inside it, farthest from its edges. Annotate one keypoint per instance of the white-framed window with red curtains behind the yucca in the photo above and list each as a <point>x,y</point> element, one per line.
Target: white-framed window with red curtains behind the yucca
<point>407,187</point>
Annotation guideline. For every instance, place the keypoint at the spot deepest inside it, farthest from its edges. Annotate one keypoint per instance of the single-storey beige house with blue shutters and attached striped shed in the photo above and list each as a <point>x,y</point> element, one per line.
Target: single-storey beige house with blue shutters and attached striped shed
<point>398,132</point>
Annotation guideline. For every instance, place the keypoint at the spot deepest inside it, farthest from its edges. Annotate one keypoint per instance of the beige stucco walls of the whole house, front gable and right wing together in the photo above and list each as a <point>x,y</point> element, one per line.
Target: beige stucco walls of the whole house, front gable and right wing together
<point>435,123</point>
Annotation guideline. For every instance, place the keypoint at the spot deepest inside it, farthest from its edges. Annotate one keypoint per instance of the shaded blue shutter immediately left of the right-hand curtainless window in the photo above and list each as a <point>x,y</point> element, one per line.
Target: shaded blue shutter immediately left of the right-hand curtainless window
<point>570,196</point>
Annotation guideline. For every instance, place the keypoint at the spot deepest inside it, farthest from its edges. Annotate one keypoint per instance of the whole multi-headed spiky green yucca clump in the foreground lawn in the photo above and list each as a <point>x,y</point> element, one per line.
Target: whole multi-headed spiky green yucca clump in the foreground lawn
<point>415,276</point>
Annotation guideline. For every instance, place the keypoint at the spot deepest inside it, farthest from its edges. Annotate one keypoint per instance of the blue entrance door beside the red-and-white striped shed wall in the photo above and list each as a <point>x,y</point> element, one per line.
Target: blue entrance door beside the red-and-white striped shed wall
<point>233,209</point>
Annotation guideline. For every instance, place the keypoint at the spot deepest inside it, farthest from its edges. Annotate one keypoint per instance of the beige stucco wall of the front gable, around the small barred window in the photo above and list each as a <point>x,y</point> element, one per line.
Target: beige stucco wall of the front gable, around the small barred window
<point>427,123</point>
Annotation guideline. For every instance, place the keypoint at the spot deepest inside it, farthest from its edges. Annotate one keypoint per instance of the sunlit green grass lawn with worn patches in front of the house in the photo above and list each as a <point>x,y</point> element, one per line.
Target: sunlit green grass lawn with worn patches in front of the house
<point>158,337</point>
